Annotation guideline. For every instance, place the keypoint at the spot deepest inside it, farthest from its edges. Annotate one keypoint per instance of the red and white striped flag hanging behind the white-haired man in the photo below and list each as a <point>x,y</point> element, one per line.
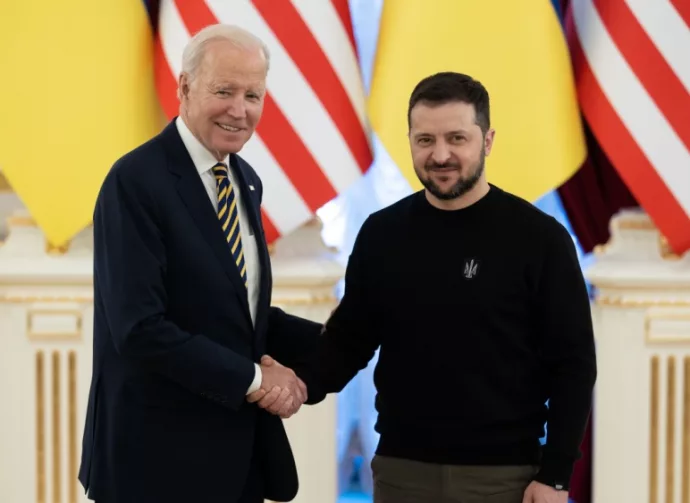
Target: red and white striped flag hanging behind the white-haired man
<point>312,142</point>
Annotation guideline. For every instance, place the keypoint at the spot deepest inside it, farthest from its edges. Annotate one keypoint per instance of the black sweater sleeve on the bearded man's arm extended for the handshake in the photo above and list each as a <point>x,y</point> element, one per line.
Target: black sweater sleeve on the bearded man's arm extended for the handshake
<point>350,339</point>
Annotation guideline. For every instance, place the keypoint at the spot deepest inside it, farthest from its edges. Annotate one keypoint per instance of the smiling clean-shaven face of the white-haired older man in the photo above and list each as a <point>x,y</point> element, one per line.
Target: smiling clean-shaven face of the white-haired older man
<point>223,101</point>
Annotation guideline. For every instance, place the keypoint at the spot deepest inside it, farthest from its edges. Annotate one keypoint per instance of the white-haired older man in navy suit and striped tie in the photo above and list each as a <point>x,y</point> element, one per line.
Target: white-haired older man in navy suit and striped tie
<point>182,284</point>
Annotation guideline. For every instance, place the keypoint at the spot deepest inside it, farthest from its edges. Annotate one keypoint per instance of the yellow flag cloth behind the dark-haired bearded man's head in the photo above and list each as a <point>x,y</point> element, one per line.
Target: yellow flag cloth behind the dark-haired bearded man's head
<point>518,51</point>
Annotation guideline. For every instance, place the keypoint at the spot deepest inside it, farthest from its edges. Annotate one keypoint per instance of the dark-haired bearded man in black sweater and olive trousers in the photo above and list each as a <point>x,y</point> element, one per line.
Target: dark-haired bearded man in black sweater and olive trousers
<point>478,304</point>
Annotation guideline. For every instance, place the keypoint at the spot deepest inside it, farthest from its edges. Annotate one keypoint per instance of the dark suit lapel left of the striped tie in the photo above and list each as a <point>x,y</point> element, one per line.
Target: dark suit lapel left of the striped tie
<point>193,194</point>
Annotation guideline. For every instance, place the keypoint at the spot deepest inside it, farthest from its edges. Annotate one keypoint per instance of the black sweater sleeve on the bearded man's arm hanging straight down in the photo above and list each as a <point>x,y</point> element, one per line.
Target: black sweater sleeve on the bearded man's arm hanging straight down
<point>567,345</point>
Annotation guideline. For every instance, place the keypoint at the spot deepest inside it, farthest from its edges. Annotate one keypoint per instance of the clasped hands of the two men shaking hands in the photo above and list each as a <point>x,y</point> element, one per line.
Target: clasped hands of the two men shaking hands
<point>282,393</point>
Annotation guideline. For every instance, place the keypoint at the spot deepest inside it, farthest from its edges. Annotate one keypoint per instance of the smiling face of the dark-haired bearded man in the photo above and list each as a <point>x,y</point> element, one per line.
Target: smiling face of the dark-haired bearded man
<point>448,148</point>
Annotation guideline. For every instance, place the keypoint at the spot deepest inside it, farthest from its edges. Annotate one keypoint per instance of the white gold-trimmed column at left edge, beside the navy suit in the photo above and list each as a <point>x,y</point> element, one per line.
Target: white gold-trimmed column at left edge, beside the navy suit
<point>45,365</point>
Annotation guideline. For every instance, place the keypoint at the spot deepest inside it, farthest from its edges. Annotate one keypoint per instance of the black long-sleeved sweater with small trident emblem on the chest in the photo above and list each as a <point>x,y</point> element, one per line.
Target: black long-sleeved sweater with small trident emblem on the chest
<point>482,315</point>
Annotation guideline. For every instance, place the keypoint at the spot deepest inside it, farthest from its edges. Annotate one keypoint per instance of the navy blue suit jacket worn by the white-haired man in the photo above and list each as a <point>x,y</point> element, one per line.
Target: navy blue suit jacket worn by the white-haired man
<point>174,344</point>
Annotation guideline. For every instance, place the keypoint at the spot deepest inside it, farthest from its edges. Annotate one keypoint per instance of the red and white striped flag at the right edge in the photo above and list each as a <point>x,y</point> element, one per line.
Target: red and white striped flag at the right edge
<point>632,65</point>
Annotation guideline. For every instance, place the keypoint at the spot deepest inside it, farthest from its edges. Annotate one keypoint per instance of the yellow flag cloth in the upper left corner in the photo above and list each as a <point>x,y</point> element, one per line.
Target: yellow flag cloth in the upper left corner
<point>77,93</point>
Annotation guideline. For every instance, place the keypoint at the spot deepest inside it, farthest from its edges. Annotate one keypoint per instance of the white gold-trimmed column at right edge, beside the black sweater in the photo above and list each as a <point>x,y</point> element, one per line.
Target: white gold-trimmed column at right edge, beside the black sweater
<point>641,426</point>
